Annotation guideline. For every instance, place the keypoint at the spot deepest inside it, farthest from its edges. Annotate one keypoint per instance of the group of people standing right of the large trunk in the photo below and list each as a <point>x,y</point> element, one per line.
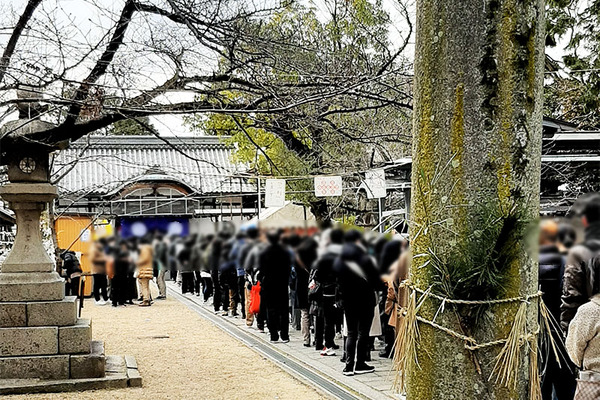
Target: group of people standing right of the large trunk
<point>569,277</point>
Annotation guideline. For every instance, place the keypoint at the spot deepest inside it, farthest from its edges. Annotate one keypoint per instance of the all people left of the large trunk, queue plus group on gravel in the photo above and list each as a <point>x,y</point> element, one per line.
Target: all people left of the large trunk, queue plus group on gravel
<point>330,285</point>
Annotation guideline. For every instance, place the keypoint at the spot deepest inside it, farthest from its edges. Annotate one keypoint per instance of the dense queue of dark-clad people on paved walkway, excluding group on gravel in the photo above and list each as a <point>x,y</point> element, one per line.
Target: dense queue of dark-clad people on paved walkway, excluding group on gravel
<point>328,285</point>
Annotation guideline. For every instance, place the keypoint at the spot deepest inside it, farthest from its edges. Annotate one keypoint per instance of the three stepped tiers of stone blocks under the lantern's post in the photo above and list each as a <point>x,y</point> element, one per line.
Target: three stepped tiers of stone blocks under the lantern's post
<point>46,340</point>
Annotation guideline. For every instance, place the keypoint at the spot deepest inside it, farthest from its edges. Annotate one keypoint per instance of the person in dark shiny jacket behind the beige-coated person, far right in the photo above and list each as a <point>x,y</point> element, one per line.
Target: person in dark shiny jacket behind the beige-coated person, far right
<point>579,279</point>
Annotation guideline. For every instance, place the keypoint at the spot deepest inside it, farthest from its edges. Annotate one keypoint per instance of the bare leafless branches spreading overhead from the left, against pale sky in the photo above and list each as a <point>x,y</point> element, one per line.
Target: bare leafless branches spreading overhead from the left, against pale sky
<point>130,59</point>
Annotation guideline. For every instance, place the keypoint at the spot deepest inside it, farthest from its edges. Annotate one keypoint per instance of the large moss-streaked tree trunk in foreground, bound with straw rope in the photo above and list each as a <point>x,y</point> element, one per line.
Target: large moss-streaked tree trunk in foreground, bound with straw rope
<point>476,172</point>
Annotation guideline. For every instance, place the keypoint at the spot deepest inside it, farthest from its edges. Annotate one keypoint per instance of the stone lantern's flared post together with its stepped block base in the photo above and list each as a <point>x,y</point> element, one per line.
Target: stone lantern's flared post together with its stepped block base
<point>40,335</point>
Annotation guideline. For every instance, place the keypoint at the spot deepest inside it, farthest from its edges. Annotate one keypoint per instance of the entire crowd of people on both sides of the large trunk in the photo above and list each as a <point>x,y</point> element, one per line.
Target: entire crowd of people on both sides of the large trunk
<point>340,284</point>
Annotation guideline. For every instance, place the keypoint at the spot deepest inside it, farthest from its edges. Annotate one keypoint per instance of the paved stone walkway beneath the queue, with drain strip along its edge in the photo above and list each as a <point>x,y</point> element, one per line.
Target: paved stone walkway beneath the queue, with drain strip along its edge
<point>377,385</point>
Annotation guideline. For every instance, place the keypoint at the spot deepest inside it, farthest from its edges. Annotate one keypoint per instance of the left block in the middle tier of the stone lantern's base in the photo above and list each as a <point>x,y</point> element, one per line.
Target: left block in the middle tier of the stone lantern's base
<point>29,341</point>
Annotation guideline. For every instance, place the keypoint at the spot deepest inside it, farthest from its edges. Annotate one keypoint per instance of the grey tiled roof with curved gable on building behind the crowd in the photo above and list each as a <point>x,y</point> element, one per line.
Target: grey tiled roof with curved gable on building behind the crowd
<point>100,165</point>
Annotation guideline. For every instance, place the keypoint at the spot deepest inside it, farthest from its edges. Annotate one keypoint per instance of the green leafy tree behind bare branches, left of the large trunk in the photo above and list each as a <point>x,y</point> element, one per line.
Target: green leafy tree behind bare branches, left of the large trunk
<point>341,133</point>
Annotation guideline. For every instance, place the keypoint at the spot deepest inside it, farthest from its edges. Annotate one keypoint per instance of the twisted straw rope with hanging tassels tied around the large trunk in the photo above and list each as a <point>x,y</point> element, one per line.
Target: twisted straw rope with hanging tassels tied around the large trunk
<point>509,357</point>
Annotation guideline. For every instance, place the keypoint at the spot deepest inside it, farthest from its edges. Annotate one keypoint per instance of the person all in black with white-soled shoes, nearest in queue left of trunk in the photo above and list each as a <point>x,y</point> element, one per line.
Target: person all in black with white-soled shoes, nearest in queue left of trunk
<point>358,280</point>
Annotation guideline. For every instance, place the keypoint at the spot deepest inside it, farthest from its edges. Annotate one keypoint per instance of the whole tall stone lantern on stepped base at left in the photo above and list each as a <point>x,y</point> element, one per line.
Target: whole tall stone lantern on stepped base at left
<point>44,346</point>
